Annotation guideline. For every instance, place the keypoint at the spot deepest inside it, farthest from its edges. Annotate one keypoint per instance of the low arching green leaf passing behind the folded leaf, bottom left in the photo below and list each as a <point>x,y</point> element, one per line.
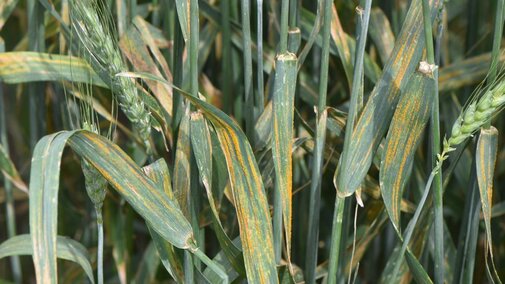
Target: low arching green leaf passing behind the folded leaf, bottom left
<point>66,248</point>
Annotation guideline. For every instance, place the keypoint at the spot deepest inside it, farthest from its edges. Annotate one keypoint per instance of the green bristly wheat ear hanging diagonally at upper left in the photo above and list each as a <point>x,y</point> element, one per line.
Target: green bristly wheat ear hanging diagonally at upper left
<point>101,52</point>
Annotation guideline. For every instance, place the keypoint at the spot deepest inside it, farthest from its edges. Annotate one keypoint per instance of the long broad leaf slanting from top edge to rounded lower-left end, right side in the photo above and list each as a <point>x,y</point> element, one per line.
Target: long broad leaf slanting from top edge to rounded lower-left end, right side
<point>375,117</point>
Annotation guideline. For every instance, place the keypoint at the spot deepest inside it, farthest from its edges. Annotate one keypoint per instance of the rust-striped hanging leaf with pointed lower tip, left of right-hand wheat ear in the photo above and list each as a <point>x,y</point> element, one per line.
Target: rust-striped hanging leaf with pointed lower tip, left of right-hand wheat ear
<point>404,136</point>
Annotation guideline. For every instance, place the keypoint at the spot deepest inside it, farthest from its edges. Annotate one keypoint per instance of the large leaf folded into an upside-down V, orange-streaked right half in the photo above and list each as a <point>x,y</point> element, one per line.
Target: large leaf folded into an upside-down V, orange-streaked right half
<point>119,170</point>
